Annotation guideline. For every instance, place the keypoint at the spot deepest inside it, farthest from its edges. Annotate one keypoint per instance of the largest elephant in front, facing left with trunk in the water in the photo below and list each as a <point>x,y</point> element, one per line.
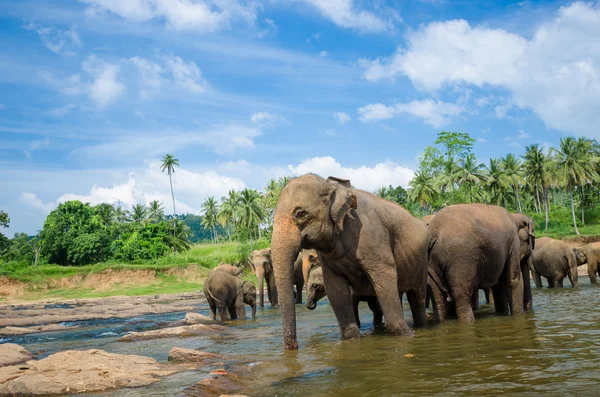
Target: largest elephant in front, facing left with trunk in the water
<point>367,244</point>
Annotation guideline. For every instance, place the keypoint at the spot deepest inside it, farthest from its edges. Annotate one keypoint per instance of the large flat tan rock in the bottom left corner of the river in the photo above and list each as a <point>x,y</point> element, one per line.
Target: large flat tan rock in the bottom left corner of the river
<point>81,371</point>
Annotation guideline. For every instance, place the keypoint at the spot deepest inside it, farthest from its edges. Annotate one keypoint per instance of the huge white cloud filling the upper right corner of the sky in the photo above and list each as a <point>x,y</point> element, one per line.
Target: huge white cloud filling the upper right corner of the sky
<point>555,72</point>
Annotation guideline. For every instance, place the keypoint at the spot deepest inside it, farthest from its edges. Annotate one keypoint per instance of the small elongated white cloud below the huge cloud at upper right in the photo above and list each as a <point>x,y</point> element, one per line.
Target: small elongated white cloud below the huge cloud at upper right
<point>435,113</point>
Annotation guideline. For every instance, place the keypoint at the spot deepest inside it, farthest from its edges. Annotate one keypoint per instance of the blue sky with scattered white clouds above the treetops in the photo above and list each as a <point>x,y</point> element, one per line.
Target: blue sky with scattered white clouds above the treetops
<point>94,92</point>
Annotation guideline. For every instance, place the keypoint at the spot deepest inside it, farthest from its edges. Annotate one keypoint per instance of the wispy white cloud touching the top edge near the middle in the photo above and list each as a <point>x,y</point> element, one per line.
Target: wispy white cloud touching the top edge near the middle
<point>346,14</point>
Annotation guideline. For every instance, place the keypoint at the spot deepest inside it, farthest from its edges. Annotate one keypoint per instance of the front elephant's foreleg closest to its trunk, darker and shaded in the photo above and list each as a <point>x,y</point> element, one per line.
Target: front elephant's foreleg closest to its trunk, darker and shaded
<point>340,298</point>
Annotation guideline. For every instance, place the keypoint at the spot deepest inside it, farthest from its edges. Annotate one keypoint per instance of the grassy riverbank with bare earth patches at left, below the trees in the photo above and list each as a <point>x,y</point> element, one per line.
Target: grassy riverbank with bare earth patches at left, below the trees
<point>182,272</point>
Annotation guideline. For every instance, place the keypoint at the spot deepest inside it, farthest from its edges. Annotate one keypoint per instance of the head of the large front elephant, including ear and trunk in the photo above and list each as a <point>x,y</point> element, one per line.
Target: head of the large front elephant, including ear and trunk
<point>310,211</point>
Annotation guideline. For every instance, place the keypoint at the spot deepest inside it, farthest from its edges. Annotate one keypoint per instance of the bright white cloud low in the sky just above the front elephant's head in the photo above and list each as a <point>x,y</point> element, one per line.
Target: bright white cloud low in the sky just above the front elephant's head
<point>364,177</point>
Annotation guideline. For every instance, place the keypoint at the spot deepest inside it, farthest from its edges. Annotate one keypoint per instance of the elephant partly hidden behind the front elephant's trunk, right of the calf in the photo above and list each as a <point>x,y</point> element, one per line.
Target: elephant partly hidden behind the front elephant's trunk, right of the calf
<point>260,261</point>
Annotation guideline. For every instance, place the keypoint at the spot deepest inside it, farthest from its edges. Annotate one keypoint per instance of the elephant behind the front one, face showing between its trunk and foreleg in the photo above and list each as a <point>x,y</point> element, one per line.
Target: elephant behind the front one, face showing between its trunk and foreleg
<point>315,288</point>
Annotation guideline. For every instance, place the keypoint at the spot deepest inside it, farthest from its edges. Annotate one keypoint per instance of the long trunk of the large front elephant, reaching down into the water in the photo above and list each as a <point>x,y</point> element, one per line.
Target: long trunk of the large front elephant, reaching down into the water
<point>285,247</point>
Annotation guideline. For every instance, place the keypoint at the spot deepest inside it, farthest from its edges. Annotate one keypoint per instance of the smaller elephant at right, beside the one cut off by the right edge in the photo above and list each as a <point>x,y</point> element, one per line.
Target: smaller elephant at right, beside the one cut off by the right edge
<point>554,260</point>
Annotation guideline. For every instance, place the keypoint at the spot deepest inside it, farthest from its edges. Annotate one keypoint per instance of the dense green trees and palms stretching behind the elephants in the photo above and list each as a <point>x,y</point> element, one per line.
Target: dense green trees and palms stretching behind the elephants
<point>555,185</point>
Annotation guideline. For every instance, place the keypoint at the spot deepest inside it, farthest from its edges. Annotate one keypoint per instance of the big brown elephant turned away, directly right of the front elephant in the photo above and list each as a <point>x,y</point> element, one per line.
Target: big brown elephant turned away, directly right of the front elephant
<point>472,246</point>
